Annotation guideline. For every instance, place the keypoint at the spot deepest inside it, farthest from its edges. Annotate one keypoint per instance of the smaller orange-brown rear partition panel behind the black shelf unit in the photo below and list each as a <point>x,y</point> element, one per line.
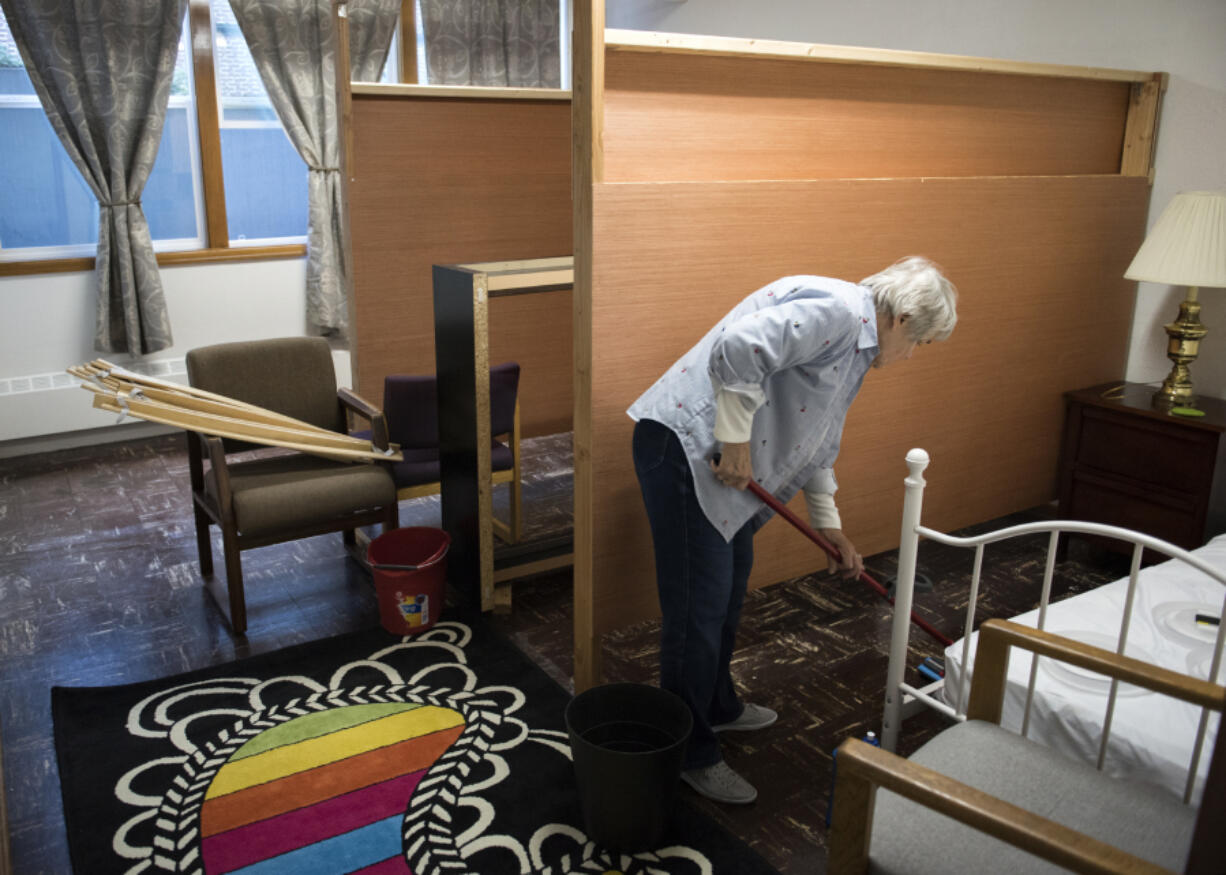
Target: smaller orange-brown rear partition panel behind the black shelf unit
<point>442,181</point>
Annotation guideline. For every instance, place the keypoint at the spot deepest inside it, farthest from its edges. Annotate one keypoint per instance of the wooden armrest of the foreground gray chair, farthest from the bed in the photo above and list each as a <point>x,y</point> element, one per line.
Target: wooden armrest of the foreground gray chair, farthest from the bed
<point>864,768</point>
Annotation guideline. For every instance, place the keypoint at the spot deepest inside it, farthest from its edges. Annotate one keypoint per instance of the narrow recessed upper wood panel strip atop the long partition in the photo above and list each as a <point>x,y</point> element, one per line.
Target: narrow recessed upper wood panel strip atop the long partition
<point>671,117</point>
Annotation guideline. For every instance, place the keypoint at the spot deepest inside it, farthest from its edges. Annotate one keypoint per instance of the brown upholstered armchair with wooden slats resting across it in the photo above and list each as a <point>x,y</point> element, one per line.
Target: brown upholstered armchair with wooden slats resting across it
<point>280,496</point>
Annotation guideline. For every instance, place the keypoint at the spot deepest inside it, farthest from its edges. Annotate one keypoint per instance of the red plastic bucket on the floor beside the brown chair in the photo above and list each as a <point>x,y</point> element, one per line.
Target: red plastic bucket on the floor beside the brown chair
<point>410,568</point>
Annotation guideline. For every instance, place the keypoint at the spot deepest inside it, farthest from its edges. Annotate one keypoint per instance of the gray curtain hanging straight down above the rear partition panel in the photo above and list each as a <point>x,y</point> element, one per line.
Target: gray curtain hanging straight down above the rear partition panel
<point>511,44</point>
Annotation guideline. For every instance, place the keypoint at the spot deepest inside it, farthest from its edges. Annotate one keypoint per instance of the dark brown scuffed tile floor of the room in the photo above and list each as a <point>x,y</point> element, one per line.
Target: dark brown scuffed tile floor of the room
<point>100,585</point>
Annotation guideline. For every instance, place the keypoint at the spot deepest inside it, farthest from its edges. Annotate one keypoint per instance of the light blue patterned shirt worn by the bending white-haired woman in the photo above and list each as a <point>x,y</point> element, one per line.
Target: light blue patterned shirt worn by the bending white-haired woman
<point>795,354</point>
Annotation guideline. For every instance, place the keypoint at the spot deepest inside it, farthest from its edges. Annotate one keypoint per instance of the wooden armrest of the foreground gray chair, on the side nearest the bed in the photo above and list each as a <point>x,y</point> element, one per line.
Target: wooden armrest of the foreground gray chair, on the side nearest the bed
<point>992,665</point>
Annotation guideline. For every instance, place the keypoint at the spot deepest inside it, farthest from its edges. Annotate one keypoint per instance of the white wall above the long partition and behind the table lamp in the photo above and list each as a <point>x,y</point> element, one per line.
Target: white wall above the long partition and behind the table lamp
<point>1186,39</point>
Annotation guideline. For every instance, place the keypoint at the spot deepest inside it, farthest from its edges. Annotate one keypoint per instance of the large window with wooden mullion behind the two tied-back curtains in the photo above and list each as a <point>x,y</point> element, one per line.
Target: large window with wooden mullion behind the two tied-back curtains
<point>263,176</point>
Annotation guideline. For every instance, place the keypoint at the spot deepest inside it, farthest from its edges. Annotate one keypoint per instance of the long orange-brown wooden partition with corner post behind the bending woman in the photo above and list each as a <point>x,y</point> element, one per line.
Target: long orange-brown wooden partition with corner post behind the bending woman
<point>707,169</point>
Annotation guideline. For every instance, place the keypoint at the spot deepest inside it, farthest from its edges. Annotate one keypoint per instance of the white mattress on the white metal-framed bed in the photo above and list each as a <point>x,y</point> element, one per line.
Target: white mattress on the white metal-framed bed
<point>1152,736</point>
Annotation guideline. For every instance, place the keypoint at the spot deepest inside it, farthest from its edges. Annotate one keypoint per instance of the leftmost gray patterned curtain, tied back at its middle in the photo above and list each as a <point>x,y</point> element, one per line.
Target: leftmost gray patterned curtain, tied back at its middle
<point>102,72</point>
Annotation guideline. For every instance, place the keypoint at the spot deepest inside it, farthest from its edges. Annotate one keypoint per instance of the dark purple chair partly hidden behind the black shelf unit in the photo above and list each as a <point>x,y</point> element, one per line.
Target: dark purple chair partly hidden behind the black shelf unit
<point>411,409</point>
